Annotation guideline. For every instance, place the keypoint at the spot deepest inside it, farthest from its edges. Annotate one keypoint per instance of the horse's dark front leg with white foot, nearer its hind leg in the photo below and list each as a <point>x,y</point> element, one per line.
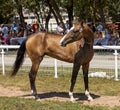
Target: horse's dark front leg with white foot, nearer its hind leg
<point>76,68</point>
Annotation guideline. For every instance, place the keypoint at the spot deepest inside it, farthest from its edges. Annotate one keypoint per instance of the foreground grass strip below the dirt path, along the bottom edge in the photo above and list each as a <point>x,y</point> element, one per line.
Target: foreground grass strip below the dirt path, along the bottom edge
<point>30,104</point>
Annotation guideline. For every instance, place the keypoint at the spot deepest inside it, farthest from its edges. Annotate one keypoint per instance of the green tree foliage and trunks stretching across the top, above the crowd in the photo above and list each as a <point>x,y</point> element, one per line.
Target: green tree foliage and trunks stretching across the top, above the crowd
<point>88,10</point>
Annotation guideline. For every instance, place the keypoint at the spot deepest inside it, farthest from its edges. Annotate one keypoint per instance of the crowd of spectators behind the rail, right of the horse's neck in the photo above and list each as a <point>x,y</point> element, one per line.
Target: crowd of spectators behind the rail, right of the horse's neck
<point>108,35</point>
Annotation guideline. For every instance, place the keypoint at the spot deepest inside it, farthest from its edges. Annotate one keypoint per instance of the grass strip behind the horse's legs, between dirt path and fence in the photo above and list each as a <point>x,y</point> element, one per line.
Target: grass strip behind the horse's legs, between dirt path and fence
<point>46,82</point>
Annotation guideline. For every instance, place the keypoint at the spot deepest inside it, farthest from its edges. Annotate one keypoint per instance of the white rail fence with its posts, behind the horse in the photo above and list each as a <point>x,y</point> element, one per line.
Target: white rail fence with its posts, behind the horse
<point>114,48</point>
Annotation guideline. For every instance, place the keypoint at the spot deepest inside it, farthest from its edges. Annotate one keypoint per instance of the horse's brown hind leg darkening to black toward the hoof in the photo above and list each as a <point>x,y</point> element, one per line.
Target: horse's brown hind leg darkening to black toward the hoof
<point>32,76</point>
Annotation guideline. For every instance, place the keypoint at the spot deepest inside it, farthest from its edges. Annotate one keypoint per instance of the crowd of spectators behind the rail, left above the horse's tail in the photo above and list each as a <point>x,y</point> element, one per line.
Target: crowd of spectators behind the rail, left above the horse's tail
<point>15,34</point>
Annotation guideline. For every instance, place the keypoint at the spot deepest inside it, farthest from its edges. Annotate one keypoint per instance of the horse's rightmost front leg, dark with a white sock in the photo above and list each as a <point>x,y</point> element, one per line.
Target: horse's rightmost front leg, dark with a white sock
<point>85,68</point>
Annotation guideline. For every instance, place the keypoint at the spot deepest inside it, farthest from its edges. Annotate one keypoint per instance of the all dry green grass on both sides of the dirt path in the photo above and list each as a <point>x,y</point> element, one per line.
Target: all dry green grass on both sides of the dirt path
<point>47,83</point>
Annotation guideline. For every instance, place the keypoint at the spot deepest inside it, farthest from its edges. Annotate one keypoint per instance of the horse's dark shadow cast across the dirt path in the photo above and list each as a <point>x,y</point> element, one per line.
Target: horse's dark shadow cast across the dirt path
<point>48,95</point>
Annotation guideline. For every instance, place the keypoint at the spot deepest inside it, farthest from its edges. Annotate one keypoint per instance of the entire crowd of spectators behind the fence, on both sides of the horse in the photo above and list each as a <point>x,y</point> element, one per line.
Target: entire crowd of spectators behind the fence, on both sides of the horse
<point>15,34</point>
